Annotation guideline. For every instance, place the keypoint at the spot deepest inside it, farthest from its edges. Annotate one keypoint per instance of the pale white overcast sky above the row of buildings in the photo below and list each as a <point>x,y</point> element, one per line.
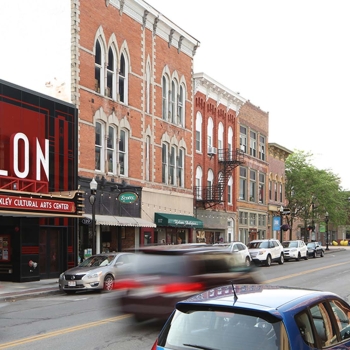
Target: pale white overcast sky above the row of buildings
<point>290,58</point>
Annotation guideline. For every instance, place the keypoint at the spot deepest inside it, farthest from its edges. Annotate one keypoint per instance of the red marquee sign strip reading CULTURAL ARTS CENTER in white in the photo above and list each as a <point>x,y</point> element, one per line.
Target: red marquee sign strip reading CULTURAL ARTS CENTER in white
<point>36,204</point>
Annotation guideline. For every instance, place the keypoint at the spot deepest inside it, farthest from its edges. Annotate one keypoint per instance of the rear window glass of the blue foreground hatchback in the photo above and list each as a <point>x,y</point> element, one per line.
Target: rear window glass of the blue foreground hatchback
<point>216,329</point>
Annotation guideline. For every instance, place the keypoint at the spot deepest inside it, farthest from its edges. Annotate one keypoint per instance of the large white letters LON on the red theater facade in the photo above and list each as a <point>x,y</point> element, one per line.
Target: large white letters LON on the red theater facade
<point>20,168</point>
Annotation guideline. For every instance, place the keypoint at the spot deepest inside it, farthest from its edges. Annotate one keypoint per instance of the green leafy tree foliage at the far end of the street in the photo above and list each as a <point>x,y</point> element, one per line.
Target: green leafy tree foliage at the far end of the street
<point>311,193</point>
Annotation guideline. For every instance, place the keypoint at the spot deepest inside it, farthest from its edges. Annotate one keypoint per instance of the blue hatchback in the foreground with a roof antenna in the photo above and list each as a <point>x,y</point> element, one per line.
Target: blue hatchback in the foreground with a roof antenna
<point>258,317</point>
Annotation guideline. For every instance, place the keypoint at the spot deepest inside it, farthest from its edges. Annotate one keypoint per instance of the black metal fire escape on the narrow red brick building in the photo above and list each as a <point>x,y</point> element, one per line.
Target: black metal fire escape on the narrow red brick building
<point>211,196</point>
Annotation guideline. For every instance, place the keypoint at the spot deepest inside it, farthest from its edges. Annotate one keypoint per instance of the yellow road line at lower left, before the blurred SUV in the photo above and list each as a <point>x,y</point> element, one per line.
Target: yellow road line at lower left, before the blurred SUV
<point>61,331</point>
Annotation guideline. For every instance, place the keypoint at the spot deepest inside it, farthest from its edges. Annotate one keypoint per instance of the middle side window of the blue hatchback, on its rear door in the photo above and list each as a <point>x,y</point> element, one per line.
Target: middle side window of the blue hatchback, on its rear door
<point>324,328</point>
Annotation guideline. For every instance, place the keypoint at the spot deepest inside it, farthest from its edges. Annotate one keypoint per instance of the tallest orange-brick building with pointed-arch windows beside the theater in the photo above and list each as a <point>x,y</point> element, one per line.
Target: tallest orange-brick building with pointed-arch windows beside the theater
<point>132,84</point>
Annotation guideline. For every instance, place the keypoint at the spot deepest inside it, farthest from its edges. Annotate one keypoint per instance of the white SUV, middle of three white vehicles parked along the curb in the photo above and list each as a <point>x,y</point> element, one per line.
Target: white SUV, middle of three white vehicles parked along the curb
<point>266,251</point>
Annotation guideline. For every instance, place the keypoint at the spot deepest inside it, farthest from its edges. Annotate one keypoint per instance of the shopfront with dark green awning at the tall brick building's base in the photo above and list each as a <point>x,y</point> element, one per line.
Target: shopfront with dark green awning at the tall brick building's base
<point>175,229</point>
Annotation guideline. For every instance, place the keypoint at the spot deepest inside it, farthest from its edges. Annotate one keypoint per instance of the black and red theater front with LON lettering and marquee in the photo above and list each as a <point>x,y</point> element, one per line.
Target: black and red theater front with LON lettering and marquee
<point>39,200</point>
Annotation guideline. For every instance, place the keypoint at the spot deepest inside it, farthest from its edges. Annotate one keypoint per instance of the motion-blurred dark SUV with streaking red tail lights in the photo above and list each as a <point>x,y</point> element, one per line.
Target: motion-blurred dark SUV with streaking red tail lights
<point>164,275</point>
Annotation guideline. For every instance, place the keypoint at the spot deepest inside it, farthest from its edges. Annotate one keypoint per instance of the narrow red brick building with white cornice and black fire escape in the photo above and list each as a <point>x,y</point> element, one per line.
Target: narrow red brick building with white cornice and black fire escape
<point>216,158</point>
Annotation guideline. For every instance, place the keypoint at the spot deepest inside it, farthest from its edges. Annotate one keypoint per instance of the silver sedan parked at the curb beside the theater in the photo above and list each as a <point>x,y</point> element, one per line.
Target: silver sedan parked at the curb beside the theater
<point>95,273</point>
